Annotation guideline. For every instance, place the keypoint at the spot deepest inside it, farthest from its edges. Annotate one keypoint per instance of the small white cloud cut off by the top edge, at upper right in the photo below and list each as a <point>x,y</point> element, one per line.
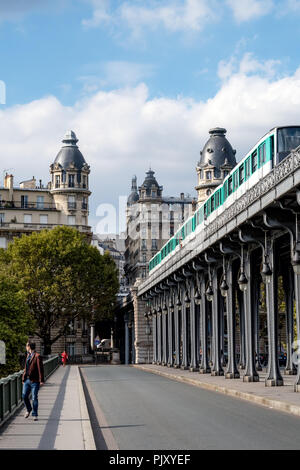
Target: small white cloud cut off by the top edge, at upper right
<point>245,10</point>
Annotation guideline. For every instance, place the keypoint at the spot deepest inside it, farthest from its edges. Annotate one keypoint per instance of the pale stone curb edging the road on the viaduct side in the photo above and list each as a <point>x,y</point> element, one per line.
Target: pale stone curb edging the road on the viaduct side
<point>257,399</point>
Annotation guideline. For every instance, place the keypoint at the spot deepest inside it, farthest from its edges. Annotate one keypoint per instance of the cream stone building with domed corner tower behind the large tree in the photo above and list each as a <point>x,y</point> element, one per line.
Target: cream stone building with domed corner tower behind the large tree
<point>32,207</point>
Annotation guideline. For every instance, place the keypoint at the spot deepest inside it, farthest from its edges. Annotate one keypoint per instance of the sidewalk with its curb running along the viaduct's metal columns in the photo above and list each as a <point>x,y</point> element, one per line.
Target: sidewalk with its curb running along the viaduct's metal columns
<point>279,398</point>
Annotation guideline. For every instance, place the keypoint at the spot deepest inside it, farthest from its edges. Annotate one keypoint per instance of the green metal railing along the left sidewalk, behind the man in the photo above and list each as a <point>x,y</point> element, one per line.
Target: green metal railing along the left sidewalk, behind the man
<point>11,389</point>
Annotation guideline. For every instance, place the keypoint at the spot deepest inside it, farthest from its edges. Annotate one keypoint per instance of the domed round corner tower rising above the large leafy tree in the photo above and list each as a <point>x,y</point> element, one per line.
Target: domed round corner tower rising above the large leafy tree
<point>70,182</point>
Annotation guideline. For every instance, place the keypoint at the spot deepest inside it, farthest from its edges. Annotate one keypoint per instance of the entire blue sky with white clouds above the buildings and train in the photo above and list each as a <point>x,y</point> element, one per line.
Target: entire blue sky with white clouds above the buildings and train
<point>141,83</point>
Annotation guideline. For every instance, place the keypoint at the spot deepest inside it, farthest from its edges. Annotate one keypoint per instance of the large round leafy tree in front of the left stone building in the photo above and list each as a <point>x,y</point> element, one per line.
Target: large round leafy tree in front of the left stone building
<point>62,278</point>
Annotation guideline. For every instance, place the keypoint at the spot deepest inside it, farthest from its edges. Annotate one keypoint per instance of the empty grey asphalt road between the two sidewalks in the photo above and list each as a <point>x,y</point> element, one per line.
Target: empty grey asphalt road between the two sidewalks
<point>145,411</point>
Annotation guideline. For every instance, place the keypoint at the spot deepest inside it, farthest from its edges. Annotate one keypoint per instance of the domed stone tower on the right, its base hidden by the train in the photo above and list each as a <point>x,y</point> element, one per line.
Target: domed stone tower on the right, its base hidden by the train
<point>217,159</point>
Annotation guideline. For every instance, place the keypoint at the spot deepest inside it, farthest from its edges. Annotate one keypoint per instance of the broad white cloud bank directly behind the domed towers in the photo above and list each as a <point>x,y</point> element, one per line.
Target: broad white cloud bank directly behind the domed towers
<point>120,132</point>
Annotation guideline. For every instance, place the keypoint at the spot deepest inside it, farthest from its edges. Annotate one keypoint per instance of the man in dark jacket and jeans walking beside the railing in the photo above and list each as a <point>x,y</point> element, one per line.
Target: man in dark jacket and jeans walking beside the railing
<point>33,377</point>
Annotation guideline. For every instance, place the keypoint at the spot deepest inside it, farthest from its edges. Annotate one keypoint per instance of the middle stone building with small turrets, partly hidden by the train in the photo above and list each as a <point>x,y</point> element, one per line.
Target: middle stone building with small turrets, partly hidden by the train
<point>151,220</point>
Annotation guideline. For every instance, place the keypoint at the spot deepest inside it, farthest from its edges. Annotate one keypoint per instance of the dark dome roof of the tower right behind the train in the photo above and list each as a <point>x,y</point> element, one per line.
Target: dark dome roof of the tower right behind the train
<point>217,150</point>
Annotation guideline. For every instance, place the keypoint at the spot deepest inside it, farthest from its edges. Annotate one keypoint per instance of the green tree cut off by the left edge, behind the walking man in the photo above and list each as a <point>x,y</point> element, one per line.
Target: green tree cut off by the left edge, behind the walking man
<point>16,323</point>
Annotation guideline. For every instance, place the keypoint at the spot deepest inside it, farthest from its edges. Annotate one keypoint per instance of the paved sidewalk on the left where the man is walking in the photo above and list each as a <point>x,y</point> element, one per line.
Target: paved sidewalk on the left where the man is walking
<point>63,418</point>
